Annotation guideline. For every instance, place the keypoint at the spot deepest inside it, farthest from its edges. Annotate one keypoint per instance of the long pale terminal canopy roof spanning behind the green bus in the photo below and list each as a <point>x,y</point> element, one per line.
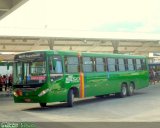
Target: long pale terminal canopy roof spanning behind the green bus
<point>125,43</point>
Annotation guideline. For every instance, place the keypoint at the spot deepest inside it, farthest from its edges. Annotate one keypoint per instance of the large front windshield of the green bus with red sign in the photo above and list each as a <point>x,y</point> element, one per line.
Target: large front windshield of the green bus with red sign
<point>30,71</point>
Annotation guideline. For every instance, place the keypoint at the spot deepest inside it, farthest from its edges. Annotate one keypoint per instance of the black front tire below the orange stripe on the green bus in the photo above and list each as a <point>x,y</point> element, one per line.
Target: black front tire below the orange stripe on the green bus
<point>70,99</point>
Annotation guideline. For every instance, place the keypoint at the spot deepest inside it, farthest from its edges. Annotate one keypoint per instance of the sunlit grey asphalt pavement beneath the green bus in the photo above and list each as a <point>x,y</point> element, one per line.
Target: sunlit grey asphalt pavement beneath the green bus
<point>144,106</point>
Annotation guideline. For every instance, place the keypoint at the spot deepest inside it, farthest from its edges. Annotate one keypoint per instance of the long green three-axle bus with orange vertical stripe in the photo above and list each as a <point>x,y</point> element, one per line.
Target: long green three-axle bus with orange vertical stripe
<point>60,76</point>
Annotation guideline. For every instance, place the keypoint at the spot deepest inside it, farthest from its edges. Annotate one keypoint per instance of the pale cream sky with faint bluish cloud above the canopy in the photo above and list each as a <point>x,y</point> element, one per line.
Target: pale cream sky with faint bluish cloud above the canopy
<point>87,15</point>
